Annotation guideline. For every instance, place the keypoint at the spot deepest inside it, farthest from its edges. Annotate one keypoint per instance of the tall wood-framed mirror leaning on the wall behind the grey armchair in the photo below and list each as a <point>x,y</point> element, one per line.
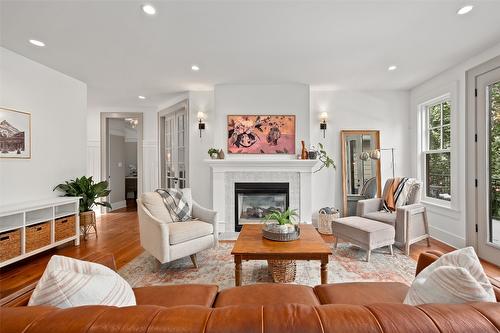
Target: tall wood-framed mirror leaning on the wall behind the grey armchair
<point>360,167</point>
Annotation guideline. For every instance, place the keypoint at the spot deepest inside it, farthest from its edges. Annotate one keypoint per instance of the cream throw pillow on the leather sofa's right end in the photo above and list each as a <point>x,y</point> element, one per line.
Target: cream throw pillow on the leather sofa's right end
<point>456,277</point>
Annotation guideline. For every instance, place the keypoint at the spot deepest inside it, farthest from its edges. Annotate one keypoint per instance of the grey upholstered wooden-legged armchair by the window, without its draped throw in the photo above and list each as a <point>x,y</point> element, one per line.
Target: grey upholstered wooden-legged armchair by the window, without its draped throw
<point>409,221</point>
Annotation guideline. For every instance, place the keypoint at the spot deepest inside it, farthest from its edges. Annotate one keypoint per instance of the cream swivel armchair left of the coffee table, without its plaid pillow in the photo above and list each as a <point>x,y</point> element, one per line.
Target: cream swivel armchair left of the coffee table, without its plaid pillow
<point>167,240</point>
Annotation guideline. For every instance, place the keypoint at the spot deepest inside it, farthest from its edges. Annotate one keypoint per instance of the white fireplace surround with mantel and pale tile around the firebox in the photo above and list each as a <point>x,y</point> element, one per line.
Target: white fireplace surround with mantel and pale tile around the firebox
<point>225,173</point>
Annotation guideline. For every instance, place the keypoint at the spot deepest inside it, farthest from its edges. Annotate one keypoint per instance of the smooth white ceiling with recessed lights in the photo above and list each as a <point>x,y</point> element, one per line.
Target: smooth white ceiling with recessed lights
<point>121,53</point>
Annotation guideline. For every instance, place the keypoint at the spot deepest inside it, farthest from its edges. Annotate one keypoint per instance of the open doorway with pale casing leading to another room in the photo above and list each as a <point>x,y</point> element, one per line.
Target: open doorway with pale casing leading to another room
<point>121,157</point>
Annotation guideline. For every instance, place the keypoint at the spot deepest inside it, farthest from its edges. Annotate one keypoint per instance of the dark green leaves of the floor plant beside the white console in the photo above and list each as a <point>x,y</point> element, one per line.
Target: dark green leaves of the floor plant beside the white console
<point>88,191</point>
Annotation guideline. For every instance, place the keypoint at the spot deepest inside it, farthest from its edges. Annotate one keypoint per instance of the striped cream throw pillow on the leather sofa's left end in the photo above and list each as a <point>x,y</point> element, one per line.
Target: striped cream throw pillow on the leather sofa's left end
<point>69,282</point>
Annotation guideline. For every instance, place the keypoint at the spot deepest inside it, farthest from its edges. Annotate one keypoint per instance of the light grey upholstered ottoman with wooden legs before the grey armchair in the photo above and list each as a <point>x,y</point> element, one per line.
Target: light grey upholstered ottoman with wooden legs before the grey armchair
<point>365,233</point>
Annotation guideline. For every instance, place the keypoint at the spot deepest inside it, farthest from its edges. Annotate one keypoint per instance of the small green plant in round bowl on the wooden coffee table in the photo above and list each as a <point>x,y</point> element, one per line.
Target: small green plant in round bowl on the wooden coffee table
<point>281,226</point>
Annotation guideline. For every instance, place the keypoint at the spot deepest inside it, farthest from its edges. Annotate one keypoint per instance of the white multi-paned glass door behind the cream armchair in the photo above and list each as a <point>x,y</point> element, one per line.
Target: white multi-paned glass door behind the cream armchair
<point>174,147</point>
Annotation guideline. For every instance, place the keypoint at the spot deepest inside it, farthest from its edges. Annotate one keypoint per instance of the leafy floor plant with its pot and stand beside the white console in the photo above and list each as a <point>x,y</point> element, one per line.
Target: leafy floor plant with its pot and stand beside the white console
<point>89,193</point>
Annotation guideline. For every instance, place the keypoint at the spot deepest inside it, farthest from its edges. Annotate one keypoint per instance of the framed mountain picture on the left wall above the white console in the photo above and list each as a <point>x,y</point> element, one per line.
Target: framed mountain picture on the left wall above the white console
<point>15,134</point>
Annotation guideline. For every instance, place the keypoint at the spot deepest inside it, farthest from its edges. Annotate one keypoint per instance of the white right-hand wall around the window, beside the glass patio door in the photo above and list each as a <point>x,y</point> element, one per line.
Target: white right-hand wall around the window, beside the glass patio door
<point>449,224</point>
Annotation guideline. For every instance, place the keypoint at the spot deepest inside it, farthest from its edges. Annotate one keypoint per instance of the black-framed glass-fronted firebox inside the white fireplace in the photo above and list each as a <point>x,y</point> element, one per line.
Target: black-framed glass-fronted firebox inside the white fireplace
<point>253,201</point>
